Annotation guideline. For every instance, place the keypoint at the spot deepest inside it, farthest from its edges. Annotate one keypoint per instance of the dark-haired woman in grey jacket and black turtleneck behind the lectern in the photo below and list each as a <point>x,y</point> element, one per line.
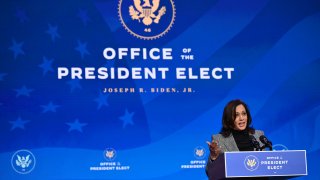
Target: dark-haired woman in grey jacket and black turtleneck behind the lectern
<point>236,133</point>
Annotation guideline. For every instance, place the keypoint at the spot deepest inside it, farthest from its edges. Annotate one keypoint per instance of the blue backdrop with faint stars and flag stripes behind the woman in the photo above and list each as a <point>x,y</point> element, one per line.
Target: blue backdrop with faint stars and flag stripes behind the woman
<point>53,128</point>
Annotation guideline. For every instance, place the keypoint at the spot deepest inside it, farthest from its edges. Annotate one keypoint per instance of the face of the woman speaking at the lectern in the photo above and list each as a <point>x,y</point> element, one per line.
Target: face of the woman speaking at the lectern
<point>241,118</point>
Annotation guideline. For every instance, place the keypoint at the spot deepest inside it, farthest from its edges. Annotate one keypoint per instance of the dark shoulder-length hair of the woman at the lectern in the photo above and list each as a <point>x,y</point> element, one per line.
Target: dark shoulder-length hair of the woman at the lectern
<point>228,118</point>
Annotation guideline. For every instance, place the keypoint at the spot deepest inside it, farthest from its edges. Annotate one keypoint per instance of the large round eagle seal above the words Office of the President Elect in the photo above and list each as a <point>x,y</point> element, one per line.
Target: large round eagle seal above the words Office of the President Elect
<point>146,20</point>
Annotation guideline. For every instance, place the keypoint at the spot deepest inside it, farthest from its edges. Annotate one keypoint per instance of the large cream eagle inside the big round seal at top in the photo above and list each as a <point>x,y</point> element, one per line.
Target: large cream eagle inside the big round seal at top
<point>147,12</point>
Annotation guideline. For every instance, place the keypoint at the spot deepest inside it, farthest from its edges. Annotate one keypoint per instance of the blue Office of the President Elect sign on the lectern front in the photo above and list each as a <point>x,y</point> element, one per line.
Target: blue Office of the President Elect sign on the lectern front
<point>265,163</point>
